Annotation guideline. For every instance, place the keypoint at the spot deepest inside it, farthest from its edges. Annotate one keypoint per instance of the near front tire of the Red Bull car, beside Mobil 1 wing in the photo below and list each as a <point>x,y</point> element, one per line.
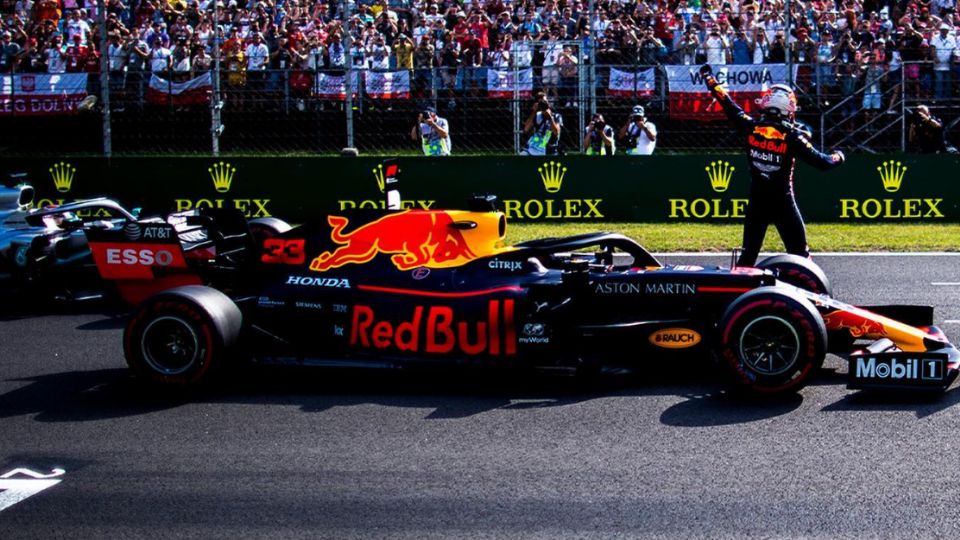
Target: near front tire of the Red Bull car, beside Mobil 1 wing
<point>772,340</point>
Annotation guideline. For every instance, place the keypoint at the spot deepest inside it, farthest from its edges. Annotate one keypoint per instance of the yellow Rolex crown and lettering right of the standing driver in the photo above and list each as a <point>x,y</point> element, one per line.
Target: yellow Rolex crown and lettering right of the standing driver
<point>891,174</point>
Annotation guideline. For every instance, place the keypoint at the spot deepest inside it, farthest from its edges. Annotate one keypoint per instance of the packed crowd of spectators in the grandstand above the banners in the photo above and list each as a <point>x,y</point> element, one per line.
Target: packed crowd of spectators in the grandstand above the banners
<point>856,39</point>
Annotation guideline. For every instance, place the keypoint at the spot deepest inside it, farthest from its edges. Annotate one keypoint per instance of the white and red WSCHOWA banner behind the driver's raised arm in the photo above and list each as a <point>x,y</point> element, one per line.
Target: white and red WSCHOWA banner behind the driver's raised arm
<point>689,98</point>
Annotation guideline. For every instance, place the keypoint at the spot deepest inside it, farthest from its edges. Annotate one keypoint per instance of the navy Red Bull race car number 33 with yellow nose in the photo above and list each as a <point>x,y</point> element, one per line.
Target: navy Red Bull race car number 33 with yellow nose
<point>395,288</point>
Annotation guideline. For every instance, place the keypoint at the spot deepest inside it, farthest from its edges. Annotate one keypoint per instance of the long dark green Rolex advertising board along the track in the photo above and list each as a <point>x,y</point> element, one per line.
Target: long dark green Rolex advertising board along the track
<point>669,188</point>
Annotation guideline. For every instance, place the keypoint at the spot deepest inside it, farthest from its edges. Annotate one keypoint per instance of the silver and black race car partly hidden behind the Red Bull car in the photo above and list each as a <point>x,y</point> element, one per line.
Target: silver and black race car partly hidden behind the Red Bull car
<point>45,253</point>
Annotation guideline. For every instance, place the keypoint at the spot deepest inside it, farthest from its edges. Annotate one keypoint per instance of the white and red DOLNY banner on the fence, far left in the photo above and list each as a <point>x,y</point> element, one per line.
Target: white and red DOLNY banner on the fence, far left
<point>42,93</point>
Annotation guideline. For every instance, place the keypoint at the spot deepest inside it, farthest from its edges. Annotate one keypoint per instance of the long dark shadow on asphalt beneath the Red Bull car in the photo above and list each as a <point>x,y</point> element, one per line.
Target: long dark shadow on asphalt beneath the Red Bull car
<point>451,394</point>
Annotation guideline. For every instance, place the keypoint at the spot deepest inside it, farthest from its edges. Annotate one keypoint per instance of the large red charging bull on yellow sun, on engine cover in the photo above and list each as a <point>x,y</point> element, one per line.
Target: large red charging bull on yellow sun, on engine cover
<point>415,238</point>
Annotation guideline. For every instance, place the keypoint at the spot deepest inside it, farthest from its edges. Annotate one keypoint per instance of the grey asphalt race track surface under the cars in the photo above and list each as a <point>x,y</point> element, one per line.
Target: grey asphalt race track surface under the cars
<point>288,454</point>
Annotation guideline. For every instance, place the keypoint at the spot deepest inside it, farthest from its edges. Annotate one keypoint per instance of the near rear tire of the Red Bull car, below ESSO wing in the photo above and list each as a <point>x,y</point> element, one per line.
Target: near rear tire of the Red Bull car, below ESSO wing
<point>178,337</point>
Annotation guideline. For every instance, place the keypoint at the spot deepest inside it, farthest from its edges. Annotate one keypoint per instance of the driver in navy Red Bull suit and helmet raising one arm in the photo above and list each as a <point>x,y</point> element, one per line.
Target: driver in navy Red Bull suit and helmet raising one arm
<point>773,141</point>
